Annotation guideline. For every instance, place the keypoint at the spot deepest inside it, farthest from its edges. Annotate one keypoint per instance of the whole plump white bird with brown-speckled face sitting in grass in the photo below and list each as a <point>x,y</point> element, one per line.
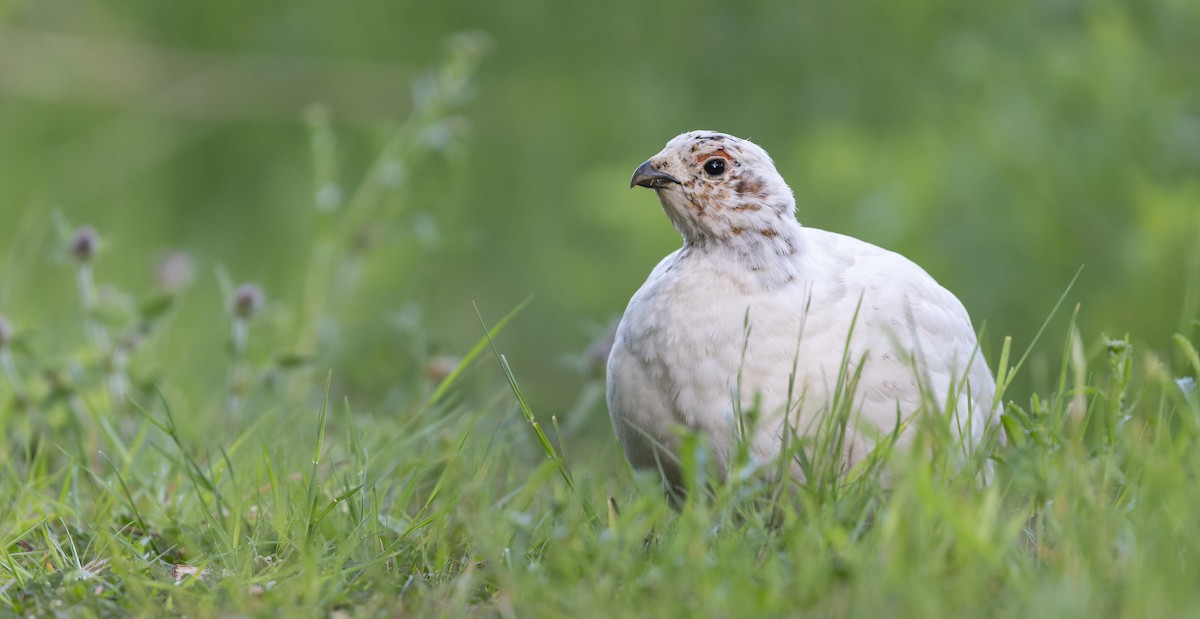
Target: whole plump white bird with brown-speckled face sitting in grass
<point>755,311</point>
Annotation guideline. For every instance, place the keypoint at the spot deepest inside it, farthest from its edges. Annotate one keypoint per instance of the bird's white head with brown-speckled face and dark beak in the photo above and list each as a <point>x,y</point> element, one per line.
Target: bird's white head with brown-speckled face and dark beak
<point>717,188</point>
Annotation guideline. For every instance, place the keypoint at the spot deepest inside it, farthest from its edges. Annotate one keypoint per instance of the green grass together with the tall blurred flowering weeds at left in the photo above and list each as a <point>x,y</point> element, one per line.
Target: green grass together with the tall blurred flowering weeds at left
<point>143,479</point>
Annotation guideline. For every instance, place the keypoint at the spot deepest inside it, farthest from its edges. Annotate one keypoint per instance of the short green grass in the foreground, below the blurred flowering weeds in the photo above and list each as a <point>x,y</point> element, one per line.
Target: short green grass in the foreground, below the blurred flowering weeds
<point>454,509</point>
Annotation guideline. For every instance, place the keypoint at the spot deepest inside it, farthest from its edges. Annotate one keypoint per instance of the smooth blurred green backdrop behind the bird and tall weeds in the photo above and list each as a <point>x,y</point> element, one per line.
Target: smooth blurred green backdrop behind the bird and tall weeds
<point>999,145</point>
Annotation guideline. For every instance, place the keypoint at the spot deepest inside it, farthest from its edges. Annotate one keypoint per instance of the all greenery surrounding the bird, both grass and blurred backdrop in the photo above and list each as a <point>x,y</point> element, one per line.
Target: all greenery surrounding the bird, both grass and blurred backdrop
<point>175,442</point>
